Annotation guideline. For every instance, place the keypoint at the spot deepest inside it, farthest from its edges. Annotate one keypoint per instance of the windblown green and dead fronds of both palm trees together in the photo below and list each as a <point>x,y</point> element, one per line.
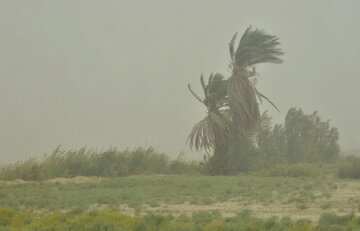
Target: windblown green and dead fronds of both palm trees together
<point>233,103</point>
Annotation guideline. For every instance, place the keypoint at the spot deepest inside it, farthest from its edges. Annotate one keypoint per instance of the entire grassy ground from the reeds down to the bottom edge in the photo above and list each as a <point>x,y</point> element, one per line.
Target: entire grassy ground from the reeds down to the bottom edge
<point>180,202</point>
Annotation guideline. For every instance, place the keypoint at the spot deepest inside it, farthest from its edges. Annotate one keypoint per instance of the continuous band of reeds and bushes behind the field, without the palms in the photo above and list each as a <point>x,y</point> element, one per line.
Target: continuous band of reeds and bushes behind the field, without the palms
<point>281,150</point>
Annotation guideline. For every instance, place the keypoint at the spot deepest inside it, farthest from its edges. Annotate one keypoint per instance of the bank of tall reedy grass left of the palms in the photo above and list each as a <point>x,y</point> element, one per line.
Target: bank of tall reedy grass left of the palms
<point>89,162</point>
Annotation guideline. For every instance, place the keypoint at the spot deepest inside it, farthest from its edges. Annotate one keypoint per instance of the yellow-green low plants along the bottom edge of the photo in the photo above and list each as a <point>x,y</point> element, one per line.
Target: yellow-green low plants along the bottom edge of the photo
<point>114,221</point>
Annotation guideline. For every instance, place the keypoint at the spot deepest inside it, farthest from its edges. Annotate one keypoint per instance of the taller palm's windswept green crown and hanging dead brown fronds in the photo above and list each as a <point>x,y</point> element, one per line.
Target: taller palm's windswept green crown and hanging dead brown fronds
<point>255,47</point>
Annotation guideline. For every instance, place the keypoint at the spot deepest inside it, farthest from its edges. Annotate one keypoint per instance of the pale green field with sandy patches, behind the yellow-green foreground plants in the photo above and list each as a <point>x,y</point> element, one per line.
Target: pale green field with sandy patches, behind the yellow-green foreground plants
<point>180,197</point>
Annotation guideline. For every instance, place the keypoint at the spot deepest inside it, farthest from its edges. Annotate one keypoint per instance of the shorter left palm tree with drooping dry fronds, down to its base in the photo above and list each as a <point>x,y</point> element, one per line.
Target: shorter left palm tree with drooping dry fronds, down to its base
<point>213,133</point>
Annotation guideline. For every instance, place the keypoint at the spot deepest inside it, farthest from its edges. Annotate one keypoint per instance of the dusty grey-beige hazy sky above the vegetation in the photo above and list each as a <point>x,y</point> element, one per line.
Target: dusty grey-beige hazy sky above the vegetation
<point>101,73</point>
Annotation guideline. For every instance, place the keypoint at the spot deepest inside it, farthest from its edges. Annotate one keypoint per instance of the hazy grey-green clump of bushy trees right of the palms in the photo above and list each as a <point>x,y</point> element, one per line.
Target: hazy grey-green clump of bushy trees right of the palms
<point>302,138</point>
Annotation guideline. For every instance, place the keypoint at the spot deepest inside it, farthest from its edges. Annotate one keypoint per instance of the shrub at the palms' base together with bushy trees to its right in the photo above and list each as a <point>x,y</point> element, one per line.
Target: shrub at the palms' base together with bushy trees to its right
<point>303,138</point>
